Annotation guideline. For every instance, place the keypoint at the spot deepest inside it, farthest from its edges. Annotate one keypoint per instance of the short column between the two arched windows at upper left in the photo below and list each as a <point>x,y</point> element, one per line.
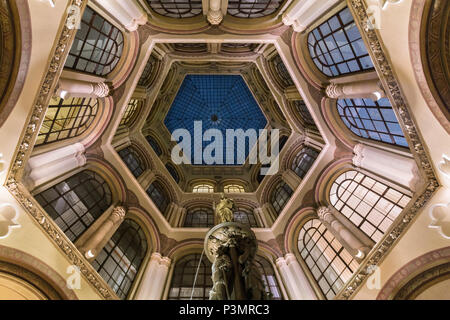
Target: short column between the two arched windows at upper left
<point>68,88</point>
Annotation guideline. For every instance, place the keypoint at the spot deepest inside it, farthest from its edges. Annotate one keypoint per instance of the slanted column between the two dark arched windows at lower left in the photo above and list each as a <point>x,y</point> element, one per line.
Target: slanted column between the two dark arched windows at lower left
<point>100,237</point>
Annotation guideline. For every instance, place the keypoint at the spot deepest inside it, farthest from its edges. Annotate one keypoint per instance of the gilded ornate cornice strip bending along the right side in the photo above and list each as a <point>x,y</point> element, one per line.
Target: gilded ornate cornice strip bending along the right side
<point>401,108</point>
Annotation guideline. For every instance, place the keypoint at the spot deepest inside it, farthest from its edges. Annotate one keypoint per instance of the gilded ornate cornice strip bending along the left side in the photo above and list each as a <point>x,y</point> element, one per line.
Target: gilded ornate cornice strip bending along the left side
<point>23,152</point>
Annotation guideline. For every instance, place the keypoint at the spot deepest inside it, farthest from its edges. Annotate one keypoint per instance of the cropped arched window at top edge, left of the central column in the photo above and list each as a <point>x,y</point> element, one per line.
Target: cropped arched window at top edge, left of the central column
<point>176,8</point>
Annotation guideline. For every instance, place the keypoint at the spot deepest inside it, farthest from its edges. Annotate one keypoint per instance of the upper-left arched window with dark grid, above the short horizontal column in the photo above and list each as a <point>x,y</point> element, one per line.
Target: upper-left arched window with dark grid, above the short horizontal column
<point>97,46</point>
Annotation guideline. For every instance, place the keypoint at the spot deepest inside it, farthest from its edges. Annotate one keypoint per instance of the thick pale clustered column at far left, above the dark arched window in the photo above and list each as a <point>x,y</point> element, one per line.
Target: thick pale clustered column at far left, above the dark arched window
<point>50,165</point>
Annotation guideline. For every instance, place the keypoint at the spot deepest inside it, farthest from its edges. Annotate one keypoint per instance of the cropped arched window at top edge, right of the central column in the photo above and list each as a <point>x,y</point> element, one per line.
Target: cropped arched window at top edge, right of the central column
<point>253,8</point>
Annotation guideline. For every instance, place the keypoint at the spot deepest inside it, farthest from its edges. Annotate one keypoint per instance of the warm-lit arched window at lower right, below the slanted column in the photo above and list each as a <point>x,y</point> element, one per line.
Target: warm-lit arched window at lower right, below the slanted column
<point>329,262</point>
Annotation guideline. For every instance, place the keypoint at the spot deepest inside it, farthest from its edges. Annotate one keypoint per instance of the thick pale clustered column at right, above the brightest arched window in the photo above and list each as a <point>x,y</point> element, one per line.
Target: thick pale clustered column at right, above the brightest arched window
<point>402,170</point>
